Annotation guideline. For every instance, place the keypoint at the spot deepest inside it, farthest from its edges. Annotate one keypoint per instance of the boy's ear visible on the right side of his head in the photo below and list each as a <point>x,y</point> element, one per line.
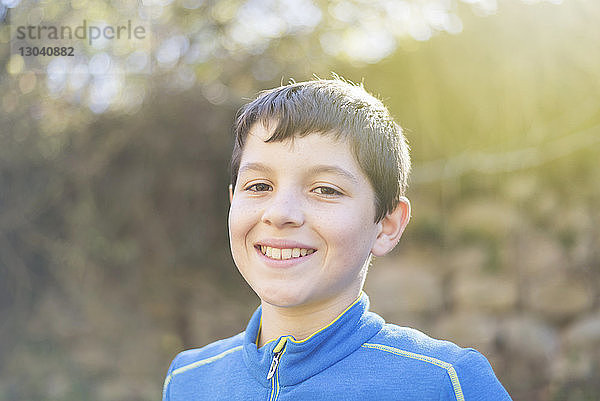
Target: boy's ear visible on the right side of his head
<point>391,228</point>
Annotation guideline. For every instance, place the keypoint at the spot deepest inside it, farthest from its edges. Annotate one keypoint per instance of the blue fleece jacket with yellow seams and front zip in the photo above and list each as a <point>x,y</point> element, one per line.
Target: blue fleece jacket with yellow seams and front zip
<point>356,357</point>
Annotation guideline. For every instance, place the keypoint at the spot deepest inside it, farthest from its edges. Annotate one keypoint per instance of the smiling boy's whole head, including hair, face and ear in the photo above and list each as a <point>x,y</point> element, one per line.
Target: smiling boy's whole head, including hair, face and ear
<point>319,169</point>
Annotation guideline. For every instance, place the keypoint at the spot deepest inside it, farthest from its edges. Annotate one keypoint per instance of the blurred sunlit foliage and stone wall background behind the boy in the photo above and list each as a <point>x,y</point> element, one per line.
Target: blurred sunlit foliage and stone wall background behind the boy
<point>114,253</point>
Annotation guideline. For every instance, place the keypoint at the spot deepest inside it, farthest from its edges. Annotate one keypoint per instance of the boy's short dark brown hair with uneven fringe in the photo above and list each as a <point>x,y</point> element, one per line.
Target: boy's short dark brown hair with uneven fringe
<point>344,111</point>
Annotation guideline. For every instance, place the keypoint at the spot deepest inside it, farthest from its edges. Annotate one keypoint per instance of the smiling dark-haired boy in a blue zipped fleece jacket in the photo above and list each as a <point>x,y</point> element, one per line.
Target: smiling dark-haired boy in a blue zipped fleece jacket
<point>319,172</point>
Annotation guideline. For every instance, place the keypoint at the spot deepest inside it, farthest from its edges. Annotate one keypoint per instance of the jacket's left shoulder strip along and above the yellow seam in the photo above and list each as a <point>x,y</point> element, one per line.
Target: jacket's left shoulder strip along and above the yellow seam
<point>209,353</point>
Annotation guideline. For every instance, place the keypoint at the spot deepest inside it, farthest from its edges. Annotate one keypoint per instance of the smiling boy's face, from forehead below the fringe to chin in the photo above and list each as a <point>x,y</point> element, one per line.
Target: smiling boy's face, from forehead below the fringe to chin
<point>311,209</point>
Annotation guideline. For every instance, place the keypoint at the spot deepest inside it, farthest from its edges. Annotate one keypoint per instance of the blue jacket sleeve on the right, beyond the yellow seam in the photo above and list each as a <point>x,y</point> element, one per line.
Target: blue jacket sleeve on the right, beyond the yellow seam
<point>476,381</point>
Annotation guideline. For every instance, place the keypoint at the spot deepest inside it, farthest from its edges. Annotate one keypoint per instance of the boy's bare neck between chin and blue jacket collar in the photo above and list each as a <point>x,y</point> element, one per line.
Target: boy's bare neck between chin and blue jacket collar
<point>300,322</point>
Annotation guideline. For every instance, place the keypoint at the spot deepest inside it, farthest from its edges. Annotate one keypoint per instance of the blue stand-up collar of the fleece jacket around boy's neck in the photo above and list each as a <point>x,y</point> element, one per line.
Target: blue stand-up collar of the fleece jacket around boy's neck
<point>302,359</point>
